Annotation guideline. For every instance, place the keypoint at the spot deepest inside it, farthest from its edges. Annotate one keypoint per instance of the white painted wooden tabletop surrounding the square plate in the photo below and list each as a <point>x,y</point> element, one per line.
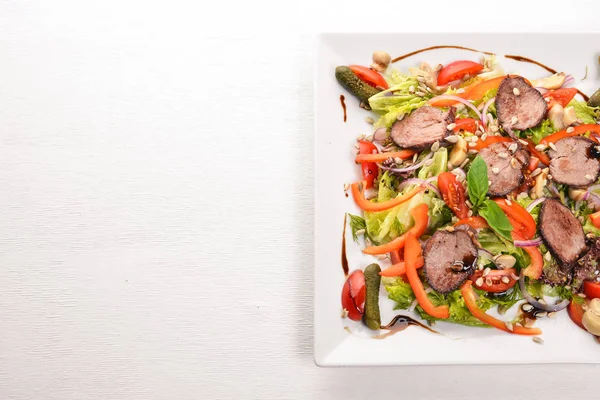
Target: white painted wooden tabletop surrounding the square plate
<point>156,202</point>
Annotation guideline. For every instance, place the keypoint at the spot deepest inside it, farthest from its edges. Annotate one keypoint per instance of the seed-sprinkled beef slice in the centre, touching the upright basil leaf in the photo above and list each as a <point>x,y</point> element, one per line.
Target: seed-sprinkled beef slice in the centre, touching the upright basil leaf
<point>505,168</point>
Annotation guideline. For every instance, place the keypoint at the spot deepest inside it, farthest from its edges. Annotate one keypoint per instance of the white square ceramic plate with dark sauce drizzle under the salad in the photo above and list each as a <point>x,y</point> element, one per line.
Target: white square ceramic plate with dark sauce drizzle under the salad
<point>564,342</point>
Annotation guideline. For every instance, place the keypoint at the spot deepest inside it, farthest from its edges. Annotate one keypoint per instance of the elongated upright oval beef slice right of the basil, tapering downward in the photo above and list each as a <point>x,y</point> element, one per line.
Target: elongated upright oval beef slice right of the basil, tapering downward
<point>562,233</point>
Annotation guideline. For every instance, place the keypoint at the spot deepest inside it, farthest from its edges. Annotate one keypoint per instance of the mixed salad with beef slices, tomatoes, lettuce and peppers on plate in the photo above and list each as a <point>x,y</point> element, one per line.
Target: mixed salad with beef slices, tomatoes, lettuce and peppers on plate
<point>479,194</point>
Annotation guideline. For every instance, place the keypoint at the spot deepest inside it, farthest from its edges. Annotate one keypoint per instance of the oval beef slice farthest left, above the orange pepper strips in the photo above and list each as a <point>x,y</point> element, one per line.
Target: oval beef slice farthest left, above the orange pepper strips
<point>422,128</point>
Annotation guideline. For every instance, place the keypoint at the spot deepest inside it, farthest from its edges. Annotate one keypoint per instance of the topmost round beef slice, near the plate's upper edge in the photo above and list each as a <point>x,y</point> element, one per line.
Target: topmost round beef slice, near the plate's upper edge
<point>518,105</point>
